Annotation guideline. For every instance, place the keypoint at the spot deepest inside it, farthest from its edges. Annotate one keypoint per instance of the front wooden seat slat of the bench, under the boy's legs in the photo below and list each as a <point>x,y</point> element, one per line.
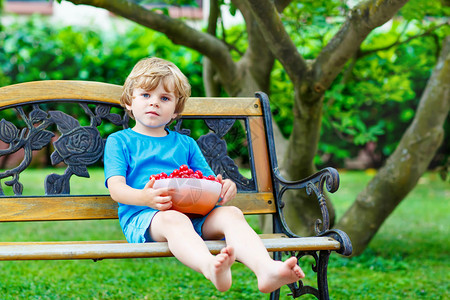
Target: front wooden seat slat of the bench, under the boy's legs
<point>121,249</point>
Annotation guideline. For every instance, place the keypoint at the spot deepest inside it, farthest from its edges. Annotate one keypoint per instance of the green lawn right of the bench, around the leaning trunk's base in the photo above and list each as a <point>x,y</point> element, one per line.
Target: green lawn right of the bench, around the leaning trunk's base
<point>409,256</point>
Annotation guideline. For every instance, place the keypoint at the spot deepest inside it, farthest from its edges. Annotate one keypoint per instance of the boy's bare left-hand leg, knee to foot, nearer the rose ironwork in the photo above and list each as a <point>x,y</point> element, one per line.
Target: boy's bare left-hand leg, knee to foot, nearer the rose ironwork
<point>189,248</point>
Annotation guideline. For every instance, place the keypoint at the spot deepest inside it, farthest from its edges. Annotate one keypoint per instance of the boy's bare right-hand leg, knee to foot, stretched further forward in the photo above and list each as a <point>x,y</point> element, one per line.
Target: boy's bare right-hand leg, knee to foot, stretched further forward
<point>229,222</point>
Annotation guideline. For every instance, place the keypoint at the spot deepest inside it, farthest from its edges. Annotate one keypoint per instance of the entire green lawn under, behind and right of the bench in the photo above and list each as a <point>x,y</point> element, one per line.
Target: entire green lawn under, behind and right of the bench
<point>408,258</point>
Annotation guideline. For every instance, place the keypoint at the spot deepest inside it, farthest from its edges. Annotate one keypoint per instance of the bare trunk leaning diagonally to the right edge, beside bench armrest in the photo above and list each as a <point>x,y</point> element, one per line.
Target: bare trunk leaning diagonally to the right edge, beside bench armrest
<point>405,166</point>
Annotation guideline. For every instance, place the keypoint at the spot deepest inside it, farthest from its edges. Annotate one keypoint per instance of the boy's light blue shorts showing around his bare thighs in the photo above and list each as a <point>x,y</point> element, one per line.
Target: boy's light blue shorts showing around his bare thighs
<point>137,231</point>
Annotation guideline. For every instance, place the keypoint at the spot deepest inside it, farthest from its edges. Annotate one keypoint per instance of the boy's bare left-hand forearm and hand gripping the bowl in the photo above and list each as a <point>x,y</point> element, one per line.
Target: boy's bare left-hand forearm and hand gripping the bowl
<point>148,196</point>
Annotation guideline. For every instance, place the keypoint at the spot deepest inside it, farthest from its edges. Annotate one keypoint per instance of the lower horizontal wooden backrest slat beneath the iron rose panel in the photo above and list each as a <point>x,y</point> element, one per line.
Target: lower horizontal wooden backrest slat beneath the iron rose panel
<point>100,207</point>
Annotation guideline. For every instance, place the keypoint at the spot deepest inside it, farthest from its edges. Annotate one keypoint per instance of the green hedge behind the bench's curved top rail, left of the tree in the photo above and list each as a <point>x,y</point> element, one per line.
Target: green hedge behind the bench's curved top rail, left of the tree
<point>37,49</point>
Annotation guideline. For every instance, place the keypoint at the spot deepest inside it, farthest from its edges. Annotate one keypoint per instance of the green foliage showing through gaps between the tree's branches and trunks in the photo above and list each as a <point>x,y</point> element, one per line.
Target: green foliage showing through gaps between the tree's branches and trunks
<point>375,98</point>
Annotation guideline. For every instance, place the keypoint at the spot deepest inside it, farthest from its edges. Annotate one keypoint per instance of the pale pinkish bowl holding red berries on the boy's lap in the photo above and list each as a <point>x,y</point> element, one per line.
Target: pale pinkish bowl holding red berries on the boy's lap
<point>192,195</point>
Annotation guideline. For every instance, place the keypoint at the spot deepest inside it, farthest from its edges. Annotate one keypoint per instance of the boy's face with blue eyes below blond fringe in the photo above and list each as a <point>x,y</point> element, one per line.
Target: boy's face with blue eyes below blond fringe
<point>152,110</point>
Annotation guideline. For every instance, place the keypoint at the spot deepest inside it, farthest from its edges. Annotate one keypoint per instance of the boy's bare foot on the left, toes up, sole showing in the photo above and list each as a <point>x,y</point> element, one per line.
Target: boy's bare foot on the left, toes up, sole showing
<point>220,272</point>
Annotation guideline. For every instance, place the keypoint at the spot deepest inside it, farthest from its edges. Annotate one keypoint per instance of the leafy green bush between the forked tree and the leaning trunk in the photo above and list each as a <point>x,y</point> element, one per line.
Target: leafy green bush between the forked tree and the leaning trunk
<point>378,99</point>
